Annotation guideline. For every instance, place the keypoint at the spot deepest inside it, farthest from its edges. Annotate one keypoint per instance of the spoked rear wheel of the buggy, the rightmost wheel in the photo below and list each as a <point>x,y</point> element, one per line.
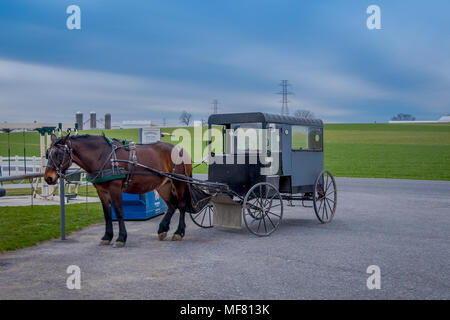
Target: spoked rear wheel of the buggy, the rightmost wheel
<point>325,196</point>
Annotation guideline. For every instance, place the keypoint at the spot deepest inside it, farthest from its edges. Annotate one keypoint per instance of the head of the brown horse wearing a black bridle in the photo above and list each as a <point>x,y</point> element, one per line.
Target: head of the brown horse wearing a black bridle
<point>59,158</point>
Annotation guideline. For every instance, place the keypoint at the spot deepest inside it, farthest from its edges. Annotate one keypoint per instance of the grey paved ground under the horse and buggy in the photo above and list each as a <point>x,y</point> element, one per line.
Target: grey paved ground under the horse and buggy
<point>402,226</point>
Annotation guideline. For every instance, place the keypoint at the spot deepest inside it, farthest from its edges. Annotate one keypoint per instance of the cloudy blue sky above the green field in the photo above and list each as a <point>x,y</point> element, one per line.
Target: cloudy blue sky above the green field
<point>152,59</point>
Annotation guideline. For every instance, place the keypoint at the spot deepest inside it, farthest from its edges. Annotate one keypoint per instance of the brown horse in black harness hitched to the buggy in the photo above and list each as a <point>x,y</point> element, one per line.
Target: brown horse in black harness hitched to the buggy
<point>94,154</point>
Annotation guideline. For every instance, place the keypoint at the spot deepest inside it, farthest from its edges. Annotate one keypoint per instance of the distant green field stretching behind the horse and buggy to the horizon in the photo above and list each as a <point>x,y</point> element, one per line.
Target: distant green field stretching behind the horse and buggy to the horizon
<point>405,151</point>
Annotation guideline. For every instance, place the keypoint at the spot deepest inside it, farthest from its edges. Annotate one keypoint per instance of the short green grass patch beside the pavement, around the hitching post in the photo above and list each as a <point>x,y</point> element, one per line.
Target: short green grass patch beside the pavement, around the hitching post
<point>27,226</point>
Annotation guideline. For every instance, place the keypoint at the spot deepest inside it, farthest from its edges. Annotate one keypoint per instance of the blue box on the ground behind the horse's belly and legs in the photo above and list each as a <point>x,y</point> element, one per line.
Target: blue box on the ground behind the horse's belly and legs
<point>141,206</point>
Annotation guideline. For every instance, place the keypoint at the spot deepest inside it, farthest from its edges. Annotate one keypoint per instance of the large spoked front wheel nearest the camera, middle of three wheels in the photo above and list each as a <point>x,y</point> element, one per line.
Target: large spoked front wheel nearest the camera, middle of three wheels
<point>262,209</point>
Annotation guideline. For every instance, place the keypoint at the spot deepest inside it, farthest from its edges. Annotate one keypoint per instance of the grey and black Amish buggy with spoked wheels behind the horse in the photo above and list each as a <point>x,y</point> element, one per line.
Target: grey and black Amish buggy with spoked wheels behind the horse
<point>264,159</point>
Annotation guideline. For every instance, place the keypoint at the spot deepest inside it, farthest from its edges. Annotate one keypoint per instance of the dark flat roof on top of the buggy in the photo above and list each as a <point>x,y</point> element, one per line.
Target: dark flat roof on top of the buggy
<point>252,117</point>
